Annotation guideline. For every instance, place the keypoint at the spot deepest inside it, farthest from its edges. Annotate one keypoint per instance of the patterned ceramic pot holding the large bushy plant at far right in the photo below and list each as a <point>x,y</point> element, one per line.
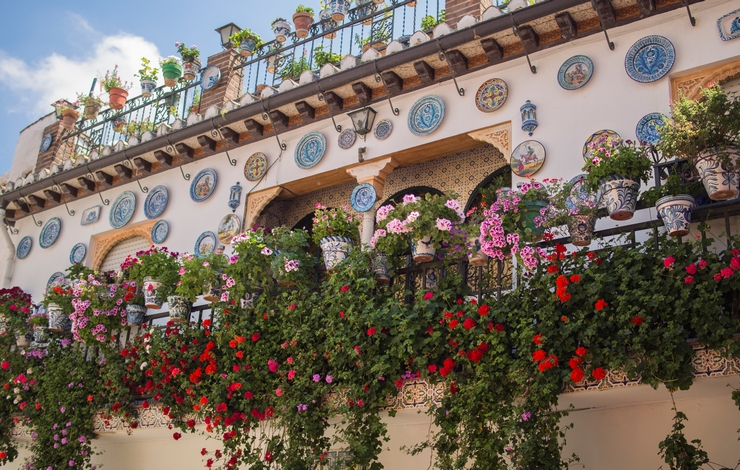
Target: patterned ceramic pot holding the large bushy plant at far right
<point>721,180</point>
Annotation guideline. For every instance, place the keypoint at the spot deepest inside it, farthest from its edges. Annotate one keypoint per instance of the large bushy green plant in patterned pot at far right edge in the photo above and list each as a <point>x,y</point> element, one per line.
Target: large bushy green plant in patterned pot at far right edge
<point>706,131</point>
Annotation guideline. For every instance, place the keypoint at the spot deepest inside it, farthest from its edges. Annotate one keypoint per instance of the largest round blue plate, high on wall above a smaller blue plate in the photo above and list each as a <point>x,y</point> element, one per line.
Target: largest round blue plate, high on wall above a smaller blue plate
<point>649,59</point>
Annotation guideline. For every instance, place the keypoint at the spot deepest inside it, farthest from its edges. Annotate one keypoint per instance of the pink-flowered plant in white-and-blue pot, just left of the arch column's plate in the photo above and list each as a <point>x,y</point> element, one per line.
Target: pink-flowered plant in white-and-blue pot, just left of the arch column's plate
<point>335,231</point>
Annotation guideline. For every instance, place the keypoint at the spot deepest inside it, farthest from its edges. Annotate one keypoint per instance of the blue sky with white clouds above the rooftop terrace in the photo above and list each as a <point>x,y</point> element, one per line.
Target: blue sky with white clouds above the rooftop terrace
<point>51,49</point>
